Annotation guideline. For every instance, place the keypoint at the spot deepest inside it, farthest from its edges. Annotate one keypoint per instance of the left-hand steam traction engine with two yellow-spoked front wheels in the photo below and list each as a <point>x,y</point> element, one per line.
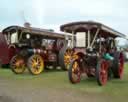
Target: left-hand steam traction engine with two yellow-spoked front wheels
<point>33,48</point>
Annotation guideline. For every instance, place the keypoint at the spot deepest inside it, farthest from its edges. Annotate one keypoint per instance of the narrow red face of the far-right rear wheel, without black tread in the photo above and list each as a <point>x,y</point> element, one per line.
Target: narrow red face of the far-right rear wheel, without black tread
<point>121,65</point>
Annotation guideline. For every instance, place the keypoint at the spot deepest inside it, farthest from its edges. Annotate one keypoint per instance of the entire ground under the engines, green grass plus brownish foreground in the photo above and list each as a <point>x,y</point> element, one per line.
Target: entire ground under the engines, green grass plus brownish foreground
<point>54,86</point>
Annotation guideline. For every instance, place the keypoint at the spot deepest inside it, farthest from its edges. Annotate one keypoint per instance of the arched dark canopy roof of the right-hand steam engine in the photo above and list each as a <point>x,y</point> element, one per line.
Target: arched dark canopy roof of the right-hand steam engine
<point>84,26</point>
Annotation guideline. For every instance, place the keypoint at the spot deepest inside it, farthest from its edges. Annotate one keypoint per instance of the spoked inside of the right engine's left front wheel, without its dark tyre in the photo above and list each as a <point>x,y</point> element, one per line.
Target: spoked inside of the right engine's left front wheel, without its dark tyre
<point>76,74</point>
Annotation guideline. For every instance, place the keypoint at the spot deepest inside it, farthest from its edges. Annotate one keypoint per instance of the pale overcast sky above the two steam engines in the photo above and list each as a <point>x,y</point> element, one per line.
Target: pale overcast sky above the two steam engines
<point>53,13</point>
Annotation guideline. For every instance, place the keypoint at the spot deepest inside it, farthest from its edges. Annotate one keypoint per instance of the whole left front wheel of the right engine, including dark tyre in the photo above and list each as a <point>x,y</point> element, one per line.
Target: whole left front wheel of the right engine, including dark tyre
<point>74,72</point>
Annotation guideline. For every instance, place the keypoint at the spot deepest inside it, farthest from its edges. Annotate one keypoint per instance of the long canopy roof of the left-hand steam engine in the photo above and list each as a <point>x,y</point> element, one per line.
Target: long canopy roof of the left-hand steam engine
<point>38,31</point>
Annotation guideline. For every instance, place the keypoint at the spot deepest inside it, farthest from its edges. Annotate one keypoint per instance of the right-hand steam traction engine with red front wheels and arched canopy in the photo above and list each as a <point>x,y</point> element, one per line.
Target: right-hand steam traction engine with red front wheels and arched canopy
<point>94,52</point>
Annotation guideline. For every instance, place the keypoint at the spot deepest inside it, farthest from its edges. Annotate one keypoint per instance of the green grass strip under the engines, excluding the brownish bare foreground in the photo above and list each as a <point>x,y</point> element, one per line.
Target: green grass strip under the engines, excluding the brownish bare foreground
<point>58,80</point>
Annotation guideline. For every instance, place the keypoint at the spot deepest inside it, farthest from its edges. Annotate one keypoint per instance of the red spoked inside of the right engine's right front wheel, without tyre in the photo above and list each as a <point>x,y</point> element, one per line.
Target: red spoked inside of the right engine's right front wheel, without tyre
<point>103,76</point>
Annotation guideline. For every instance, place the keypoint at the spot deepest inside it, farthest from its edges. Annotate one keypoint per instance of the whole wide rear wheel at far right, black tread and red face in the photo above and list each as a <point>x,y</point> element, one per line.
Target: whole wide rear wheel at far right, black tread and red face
<point>118,65</point>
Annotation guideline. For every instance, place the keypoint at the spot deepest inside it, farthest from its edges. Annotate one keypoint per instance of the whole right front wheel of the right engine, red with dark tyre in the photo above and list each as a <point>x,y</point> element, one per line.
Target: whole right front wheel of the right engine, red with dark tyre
<point>102,72</point>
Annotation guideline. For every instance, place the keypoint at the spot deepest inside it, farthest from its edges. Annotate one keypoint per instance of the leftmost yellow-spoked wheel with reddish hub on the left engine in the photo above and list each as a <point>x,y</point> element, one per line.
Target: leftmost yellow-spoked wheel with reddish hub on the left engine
<point>17,64</point>
